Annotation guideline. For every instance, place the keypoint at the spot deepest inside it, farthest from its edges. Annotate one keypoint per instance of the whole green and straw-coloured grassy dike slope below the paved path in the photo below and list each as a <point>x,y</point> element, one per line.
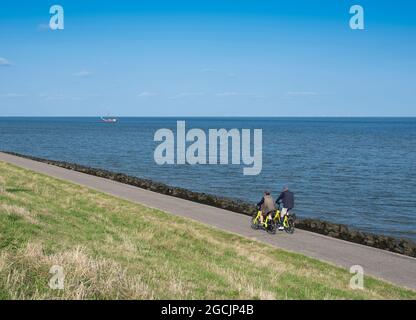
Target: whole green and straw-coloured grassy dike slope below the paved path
<point>111,248</point>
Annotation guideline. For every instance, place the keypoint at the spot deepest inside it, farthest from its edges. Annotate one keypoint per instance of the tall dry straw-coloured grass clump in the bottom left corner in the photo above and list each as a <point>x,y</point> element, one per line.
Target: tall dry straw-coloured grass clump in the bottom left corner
<point>85,277</point>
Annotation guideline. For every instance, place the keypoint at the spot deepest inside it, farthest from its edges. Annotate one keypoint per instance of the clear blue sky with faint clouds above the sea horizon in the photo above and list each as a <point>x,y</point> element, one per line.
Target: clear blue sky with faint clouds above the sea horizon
<point>208,58</point>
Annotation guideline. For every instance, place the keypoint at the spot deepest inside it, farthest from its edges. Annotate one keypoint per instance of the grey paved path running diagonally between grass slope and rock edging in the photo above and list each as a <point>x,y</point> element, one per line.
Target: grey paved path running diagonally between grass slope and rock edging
<point>382,264</point>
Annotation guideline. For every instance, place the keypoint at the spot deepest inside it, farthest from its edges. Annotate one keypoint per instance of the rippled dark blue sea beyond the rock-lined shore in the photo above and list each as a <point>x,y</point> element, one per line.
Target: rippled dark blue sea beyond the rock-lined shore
<point>361,172</point>
